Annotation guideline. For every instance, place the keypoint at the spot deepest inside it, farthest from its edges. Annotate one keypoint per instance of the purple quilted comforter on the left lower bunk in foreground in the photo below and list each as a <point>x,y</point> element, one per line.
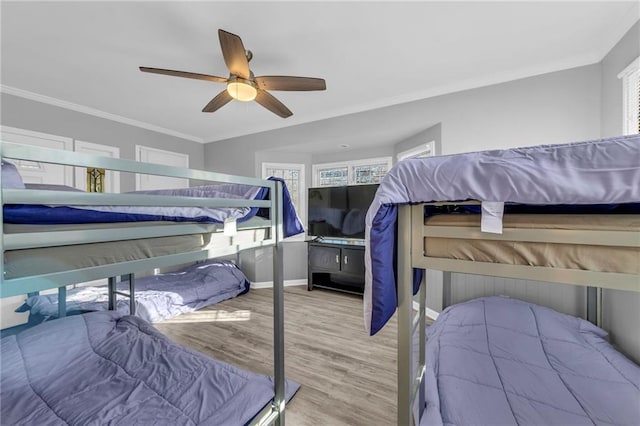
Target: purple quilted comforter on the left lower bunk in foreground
<point>105,368</point>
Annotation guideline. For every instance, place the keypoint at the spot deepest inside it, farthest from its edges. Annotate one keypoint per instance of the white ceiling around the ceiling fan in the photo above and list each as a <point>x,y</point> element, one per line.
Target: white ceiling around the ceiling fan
<point>85,55</point>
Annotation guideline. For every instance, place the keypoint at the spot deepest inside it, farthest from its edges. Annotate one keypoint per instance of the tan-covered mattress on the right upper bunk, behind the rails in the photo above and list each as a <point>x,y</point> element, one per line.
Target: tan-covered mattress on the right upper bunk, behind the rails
<point>554,255</point>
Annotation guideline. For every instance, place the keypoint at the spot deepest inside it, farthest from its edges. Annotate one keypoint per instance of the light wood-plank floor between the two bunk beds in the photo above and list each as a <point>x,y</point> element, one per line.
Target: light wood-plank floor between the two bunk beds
<point>346,376</point>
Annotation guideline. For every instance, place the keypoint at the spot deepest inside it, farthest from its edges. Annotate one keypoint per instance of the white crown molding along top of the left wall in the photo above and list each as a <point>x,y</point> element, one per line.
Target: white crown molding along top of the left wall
<point>95,112</point>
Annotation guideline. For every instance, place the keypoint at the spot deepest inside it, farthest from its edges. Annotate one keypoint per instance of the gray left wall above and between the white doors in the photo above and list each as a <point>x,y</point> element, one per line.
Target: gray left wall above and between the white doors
<point>36,116</point>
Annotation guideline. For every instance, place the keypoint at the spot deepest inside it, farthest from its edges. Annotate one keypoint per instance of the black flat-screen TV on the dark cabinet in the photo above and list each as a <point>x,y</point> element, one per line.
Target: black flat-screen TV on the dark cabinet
<point>339,211</point>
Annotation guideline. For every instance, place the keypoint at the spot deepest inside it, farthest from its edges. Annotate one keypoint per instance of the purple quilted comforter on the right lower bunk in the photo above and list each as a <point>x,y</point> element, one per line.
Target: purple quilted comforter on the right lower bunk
<point>501,361</point>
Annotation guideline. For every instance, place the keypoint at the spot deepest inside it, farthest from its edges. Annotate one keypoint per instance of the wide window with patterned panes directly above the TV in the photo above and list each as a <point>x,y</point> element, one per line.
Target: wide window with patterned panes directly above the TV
<point>357,172</point>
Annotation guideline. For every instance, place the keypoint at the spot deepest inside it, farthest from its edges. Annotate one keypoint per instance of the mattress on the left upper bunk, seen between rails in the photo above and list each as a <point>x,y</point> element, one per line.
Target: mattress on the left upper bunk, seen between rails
<point>29,262</point>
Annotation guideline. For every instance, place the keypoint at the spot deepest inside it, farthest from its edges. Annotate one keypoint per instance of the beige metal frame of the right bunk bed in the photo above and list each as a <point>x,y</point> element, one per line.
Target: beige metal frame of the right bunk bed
<point>412,232</point>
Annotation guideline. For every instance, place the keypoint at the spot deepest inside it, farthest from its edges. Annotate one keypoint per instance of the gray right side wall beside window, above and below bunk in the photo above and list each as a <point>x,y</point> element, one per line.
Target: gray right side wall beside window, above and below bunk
<point>621,309</point>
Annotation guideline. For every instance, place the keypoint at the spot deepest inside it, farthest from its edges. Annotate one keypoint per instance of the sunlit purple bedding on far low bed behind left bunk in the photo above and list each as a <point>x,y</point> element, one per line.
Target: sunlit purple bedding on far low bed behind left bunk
<point>158,297</point>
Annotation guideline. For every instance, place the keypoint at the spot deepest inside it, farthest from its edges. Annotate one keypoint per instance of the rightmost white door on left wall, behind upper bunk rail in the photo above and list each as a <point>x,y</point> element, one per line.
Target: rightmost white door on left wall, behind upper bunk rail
<point>167,158</point>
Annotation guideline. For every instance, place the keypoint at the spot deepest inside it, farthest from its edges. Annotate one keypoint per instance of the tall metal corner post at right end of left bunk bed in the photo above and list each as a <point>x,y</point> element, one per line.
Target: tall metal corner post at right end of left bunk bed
<point>278,307</point>
